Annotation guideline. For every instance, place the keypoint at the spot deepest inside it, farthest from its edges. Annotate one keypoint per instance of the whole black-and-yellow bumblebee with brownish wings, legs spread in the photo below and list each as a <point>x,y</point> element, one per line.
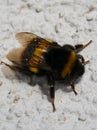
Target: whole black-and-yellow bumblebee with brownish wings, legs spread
<point>46,57</point>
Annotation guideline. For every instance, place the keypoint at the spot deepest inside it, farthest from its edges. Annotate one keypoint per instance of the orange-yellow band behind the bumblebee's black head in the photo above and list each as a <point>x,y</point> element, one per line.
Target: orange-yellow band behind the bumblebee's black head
<point>68,67</point>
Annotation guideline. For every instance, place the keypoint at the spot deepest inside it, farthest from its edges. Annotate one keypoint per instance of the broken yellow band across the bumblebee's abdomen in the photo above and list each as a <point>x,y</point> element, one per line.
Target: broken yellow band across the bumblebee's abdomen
<point>37,56</point>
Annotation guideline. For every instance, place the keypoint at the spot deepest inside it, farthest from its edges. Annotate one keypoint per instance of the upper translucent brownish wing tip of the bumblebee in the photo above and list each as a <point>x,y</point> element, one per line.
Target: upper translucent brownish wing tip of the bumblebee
<point>25,37</point>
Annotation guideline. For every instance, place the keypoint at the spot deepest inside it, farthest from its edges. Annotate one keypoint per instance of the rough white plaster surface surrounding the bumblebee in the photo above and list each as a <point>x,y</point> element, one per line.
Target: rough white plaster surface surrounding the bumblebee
<point>25,107</point>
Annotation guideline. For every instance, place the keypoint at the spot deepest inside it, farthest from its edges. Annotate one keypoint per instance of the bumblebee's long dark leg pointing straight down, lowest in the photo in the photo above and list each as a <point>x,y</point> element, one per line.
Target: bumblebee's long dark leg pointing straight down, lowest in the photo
<point>51,83</point>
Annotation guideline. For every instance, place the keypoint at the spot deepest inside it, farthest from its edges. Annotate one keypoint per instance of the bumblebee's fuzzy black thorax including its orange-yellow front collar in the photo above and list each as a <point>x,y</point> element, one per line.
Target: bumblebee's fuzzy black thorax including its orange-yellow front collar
<point>61,61</point>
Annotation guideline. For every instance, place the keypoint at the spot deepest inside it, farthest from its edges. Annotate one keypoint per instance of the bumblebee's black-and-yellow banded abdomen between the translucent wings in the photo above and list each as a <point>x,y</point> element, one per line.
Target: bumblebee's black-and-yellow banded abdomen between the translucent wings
<point>33,54</point>
